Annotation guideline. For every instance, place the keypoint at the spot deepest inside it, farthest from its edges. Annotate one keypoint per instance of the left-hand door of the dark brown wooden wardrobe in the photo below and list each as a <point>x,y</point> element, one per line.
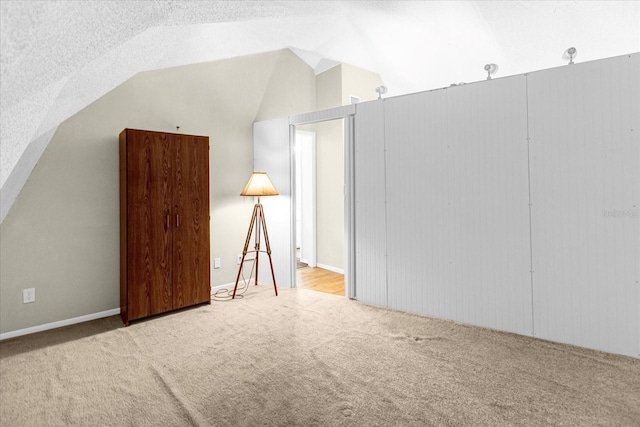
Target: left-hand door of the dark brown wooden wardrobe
<point>149,248</point>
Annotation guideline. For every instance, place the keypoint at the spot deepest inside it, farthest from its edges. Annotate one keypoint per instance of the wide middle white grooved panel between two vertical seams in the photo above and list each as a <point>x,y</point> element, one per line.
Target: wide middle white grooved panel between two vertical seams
<point>457,204</point>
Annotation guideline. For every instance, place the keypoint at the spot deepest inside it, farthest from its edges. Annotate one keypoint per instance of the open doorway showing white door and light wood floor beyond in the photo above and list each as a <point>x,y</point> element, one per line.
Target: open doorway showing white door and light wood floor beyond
<point>320,205</point>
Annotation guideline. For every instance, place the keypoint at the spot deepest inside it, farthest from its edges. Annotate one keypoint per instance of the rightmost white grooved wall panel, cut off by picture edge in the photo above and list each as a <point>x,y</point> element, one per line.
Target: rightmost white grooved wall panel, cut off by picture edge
<point>585,168</point>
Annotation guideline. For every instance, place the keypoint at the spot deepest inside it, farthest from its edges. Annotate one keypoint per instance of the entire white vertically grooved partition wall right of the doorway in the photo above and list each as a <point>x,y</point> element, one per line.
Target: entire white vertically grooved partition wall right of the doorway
<point>494,204</point>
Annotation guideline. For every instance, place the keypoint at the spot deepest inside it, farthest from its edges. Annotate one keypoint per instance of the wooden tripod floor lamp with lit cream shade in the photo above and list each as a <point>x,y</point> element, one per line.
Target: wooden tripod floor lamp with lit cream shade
<point>258,185</point>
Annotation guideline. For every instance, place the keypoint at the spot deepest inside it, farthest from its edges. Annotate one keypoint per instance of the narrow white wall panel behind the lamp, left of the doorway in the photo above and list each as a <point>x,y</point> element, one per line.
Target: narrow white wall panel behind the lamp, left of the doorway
<point>272,154</point>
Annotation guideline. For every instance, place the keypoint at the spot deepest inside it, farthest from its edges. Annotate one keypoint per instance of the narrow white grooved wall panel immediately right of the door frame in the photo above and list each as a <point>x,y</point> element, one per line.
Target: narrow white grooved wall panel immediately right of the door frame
<point>370,206</point>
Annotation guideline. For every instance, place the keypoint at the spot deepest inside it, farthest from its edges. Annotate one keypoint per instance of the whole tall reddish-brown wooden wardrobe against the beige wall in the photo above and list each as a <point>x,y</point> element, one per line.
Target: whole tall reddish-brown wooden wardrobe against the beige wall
<point>164,222</point>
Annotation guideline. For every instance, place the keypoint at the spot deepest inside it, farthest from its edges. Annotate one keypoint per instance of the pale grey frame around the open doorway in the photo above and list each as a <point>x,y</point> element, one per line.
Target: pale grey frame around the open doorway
<point>347,114</point>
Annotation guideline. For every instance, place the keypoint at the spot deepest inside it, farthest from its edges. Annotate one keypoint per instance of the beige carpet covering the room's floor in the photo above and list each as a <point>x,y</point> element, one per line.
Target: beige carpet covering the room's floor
<point>306,358</point>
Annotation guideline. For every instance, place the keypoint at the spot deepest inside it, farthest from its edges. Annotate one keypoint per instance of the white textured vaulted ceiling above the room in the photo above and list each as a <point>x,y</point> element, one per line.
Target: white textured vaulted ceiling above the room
<point>59,56</point>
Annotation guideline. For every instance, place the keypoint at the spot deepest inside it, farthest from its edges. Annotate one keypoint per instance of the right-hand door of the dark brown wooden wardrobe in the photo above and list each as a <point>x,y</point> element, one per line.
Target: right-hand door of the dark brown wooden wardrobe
<point>191,280</point>
